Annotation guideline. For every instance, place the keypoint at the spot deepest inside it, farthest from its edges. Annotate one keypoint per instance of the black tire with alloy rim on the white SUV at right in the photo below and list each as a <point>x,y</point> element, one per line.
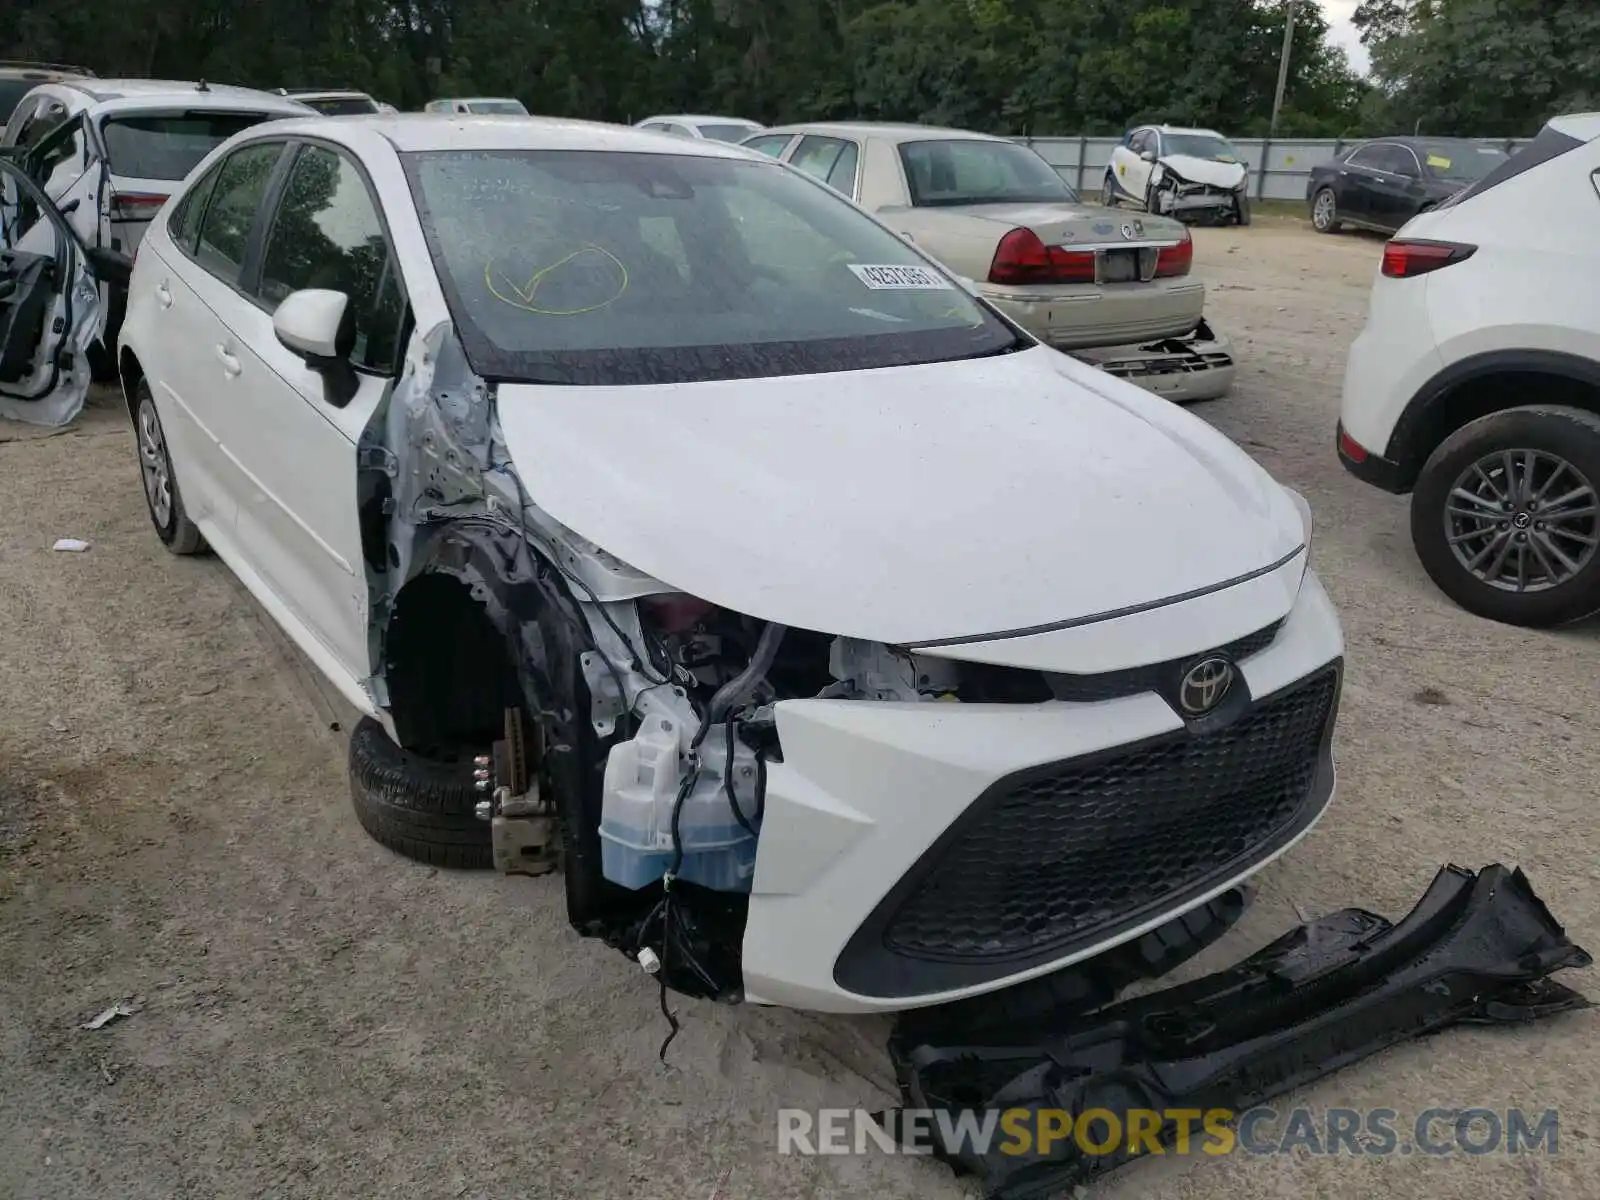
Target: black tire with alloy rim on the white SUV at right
<point>1506,516</point>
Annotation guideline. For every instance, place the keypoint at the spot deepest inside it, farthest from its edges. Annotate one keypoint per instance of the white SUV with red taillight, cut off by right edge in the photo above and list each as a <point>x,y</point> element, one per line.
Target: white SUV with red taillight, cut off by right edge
<point>1476,385</point>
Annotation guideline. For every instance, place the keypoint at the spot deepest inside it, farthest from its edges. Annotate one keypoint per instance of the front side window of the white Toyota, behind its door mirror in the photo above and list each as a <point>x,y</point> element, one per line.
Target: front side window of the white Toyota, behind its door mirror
<point>327,234</point>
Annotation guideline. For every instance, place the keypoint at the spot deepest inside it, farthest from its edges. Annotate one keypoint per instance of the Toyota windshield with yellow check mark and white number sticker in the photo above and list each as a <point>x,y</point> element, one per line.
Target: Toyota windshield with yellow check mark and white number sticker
<point>604,268</point>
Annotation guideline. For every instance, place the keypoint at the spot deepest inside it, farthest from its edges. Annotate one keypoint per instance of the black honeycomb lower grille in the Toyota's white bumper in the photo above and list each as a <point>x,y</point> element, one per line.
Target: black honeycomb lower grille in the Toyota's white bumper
<point>1071,849</point>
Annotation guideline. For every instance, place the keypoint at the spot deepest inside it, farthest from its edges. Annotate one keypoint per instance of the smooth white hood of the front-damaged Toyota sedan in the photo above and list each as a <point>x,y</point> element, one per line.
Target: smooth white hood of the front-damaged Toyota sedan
<point>905,505</point>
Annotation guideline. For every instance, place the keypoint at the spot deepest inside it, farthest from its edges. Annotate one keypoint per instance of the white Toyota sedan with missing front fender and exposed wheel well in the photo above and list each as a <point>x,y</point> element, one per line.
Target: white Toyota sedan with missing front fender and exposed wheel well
<point>679,527</point>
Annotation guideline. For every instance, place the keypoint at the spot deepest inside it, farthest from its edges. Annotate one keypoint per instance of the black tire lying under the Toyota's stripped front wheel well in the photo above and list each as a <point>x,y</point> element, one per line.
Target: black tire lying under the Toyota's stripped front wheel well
<point>425,809</point>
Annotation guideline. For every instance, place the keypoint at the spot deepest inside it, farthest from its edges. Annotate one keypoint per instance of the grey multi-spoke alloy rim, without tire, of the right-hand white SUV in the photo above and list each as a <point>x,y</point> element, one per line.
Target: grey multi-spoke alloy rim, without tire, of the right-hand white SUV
<point>1522,521</point>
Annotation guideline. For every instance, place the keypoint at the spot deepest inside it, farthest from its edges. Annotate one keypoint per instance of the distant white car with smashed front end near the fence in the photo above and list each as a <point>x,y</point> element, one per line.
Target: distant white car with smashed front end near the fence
<point>1180,174</point>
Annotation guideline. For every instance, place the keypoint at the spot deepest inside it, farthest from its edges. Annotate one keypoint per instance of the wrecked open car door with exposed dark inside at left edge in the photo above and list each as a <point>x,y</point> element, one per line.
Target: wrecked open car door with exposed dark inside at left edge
<point>50,308</point>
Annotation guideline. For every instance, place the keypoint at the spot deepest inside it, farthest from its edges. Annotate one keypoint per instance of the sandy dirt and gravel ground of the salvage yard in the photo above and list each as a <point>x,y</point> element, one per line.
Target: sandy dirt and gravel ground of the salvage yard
<point>319,1018</point>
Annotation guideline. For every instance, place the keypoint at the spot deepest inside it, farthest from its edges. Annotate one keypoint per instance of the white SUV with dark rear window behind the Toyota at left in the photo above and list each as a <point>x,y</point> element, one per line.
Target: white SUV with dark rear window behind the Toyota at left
<point>110,153</point>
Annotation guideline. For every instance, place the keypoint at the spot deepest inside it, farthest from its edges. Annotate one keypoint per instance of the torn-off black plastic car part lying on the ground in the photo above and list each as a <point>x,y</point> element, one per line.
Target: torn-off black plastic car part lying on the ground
<point>1478,950</point>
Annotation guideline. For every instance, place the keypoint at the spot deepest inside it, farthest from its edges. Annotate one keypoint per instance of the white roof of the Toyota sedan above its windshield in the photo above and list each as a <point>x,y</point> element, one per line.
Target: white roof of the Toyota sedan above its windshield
<point>420,132</point>
